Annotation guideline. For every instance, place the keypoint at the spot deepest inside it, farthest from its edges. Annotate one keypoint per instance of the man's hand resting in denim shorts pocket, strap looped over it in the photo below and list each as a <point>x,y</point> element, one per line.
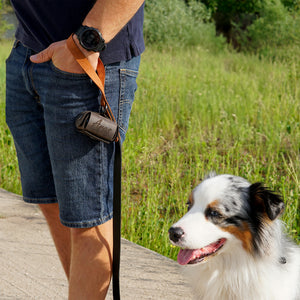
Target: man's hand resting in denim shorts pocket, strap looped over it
<point>63,59</point>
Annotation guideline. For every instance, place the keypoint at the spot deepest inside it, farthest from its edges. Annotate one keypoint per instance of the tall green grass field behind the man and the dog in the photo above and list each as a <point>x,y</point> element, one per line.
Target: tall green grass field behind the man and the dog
<point>197,111</point>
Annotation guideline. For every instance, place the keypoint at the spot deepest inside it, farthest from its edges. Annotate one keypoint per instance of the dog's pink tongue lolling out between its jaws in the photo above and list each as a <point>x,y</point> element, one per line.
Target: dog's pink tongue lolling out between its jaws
<point>187,255</point>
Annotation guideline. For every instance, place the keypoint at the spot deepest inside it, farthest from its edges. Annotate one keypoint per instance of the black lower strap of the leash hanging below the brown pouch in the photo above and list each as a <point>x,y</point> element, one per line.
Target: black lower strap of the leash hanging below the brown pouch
<point>117,220</point>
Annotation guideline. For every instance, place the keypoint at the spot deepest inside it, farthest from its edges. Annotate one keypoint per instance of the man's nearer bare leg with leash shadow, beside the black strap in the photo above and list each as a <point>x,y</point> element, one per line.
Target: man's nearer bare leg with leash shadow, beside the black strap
<point>91,262</point>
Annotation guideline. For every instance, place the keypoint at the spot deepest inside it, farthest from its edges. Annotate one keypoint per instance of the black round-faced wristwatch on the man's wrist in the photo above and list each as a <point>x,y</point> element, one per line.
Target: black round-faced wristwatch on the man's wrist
<point>90,38</point>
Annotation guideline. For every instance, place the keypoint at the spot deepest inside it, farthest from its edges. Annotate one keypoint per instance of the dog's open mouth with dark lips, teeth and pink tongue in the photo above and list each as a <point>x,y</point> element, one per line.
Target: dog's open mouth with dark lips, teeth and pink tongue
<point>194,256</point>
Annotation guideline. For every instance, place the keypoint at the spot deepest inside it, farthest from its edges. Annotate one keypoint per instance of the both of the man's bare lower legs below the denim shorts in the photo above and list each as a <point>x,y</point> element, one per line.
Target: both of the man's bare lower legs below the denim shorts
<point>86,255</point>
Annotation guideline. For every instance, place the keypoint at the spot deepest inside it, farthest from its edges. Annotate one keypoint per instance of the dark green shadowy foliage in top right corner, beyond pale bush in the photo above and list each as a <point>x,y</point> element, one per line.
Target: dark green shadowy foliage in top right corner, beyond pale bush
<point>253,24</point>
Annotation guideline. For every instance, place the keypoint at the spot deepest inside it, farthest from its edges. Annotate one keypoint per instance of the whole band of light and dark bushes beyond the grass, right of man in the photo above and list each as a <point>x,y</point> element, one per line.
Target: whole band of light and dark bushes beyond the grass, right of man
<point>257,26</point>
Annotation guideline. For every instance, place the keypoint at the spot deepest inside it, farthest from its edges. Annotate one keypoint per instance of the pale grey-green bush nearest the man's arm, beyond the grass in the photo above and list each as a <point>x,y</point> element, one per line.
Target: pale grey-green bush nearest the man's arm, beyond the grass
<point>173,24</point>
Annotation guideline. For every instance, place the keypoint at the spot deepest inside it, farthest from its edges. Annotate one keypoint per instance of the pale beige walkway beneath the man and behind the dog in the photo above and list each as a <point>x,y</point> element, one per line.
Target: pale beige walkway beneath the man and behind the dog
<point>30,268</point>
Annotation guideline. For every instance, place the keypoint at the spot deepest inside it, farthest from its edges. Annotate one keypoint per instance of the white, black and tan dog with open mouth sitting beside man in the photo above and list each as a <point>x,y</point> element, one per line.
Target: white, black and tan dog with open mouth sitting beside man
<point>233,245</point>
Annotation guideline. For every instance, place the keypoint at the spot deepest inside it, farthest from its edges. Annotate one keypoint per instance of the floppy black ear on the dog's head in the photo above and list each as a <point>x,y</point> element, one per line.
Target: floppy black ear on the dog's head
<point>265,201</point>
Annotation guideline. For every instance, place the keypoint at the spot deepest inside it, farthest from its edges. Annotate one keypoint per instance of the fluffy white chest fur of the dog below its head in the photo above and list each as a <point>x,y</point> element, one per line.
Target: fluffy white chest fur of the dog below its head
<point>240,276</point>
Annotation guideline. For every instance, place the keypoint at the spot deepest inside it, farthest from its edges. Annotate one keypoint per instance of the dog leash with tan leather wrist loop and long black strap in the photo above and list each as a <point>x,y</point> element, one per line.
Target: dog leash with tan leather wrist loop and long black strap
<point>99,79</point>
